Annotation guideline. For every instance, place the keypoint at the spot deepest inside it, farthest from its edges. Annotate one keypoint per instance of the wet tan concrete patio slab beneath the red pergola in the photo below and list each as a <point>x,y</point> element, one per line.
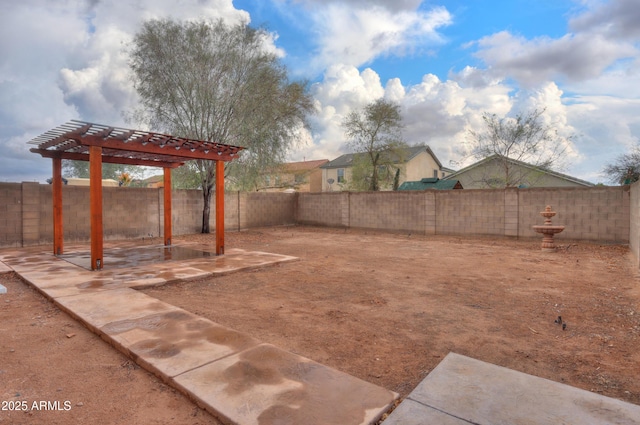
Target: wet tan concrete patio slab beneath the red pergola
<point>128,266</point>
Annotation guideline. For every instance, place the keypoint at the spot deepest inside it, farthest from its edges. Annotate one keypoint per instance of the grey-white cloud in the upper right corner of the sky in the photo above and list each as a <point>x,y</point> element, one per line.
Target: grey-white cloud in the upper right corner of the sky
<point>605,36</point>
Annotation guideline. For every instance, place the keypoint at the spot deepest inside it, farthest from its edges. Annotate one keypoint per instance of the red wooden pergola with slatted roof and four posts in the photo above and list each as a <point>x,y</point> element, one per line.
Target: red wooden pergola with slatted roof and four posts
<point>83,141</point>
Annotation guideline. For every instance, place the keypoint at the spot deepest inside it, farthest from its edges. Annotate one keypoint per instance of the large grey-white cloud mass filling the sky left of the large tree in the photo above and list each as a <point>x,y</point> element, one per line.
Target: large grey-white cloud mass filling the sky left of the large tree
<point>64,59</point>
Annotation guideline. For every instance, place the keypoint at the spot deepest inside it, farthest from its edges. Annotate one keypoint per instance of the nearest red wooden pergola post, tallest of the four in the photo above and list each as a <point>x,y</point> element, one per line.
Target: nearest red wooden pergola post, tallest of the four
<point>95,199</point>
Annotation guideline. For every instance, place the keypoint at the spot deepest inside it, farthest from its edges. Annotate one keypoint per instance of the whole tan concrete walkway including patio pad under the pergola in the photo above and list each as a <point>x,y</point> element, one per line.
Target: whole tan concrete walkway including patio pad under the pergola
<point>232,375</point>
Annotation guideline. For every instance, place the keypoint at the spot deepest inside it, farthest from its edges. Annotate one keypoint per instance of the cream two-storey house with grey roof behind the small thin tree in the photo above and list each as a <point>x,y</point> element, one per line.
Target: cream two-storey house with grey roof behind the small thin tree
<point>415,163</point>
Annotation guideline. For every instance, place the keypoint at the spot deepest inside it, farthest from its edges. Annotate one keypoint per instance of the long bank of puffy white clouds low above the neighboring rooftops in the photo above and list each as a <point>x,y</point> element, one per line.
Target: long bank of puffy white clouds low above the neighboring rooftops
<point>441,114</point>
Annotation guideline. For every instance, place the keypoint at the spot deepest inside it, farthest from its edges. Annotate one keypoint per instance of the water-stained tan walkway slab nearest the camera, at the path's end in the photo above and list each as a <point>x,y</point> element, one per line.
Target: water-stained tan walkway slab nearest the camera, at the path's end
<point>266,385</point>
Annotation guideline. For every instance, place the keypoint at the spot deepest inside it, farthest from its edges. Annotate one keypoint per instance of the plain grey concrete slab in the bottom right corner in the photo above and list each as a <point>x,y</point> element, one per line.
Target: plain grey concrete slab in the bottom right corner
<point>472,391</point>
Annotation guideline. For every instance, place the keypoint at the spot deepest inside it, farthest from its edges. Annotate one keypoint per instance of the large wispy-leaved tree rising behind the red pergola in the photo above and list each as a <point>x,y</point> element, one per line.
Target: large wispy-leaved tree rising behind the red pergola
<point>211,81</point>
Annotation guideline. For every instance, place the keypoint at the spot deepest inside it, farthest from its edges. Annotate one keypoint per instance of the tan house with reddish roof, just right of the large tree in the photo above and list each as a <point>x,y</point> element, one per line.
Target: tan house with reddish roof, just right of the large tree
<point>303,176</point>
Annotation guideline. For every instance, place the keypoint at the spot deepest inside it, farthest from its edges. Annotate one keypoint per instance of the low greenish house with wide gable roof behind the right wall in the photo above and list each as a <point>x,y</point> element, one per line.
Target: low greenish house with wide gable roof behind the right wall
<point>490,173</point>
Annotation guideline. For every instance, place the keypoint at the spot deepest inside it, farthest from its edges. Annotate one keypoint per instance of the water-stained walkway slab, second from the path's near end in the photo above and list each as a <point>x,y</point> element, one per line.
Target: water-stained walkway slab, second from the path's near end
<point>175,342</point>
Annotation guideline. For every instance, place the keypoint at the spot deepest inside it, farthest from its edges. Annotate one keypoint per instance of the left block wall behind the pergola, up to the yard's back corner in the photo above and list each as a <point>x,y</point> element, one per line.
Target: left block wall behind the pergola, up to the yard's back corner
<point>26,212</point>
